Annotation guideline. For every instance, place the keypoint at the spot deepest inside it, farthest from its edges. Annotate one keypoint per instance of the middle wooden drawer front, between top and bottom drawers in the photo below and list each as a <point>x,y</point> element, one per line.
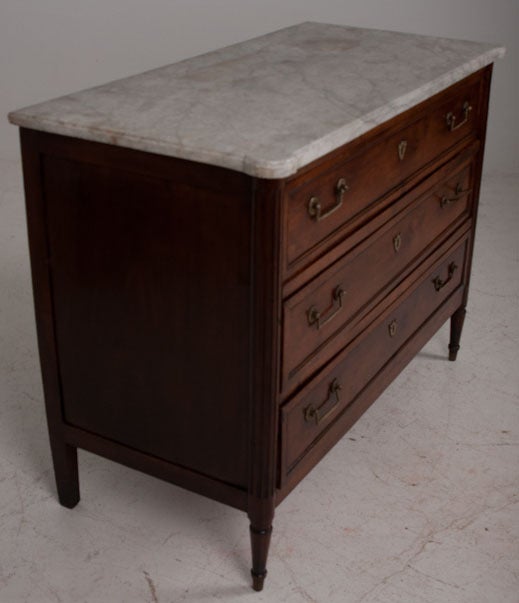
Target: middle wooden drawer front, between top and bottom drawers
<point>317,319</point>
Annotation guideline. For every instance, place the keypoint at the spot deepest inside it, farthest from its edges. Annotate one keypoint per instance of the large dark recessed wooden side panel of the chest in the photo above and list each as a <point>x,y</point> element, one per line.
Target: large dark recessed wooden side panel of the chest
<point>150,284</point>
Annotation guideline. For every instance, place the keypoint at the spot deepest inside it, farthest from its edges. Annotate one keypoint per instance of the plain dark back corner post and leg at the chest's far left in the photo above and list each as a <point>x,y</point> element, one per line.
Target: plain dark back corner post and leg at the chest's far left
<point>64,456</point>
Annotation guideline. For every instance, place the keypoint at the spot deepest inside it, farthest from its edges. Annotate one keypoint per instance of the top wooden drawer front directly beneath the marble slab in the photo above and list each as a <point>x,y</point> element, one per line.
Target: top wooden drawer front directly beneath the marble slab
<point>321,201</point>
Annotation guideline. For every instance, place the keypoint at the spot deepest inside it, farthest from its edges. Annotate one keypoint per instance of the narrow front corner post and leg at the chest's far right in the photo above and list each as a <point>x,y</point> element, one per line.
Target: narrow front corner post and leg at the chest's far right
<point>458,318</point>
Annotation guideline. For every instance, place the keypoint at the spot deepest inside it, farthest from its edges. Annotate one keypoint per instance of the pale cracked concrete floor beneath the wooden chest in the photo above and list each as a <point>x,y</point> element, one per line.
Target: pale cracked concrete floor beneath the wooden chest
<point>417,504</point>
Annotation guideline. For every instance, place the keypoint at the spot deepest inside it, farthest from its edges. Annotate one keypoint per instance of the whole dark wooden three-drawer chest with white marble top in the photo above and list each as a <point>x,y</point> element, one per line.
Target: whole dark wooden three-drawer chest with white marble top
<point>233,256</point>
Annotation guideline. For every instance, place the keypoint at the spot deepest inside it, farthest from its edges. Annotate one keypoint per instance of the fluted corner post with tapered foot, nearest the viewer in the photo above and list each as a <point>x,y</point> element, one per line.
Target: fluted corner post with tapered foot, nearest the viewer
<point>264,378</point>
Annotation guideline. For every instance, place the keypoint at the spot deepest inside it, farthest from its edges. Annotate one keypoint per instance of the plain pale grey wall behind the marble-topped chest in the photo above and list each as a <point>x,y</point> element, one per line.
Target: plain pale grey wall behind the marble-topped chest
<point>53,47</point>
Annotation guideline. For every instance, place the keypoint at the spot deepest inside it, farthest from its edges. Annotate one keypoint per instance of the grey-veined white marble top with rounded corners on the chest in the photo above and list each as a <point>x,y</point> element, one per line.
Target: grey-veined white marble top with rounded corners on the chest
<point>270,105</point>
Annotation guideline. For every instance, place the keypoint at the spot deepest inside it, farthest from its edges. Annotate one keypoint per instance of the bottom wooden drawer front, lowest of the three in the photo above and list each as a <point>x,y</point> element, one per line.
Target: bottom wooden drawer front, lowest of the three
<point>307,416</point>
